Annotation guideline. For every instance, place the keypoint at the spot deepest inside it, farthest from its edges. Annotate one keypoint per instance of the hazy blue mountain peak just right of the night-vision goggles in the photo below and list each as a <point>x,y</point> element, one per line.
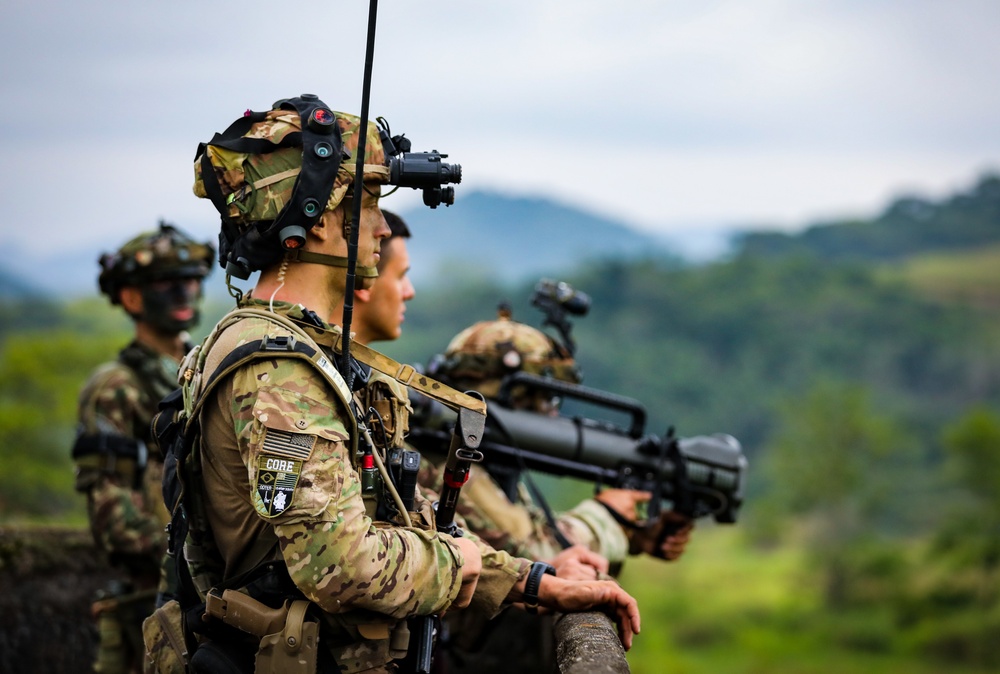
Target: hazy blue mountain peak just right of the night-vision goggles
<point>504,238</point>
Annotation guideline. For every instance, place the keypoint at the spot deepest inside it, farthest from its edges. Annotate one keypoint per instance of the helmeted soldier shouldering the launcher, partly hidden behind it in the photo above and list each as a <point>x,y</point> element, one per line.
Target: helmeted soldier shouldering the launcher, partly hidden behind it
<point>480,358</point>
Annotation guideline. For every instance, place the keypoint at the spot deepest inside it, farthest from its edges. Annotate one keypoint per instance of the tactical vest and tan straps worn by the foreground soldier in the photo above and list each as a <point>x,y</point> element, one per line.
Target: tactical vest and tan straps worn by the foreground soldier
<point>177,431</point>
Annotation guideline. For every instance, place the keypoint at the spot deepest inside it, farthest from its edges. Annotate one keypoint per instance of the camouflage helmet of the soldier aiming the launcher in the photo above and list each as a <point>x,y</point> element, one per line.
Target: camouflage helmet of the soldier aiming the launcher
<point>480,356</point>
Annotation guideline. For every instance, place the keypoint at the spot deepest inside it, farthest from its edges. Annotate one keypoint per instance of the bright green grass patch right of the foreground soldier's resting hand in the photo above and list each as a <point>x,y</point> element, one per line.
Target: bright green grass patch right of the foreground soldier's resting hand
<point>730,608</point>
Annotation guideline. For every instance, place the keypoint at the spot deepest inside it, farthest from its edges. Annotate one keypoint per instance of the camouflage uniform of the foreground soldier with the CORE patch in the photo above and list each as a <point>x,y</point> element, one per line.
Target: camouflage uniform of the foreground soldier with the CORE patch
<point>364,576</point>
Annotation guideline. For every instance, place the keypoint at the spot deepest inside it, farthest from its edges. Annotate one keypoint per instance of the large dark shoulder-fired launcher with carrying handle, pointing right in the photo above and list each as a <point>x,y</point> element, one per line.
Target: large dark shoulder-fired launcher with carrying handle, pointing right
<point>698,476</point>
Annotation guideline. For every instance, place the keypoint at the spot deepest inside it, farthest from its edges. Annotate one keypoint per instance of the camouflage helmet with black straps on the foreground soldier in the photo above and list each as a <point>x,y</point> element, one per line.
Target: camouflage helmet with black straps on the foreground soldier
<point>271,175</point>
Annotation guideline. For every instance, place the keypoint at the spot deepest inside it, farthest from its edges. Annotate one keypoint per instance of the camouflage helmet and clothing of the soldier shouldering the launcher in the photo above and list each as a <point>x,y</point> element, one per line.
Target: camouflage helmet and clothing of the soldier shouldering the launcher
<point>478,358</point>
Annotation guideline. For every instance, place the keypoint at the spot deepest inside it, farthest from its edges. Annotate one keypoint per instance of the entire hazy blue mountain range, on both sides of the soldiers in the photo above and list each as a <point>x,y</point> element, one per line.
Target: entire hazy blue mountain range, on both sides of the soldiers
<point>483,235</point>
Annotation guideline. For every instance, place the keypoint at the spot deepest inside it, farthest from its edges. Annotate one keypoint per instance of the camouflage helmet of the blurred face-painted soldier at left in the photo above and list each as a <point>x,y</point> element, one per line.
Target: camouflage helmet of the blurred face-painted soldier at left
<point>166,253</point>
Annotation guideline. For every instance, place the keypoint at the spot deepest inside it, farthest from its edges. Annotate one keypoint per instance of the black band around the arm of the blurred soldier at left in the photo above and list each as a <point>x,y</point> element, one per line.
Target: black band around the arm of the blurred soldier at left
<point>101,454</point>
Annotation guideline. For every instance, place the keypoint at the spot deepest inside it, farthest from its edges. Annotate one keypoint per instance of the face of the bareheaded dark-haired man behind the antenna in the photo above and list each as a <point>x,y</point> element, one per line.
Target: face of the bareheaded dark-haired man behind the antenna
<point>381,309</point>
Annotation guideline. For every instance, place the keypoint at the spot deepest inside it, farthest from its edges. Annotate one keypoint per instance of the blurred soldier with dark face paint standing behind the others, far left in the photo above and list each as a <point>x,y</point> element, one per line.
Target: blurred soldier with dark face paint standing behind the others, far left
<point>156,277</point>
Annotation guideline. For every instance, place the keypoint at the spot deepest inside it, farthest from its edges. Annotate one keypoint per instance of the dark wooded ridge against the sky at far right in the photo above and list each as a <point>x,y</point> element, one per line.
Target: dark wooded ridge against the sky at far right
<point>909,226</point>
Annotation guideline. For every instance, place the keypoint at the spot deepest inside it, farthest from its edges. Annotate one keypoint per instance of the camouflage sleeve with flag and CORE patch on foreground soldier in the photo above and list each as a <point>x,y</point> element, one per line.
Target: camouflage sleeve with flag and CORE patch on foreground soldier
<point>301,478</point>
